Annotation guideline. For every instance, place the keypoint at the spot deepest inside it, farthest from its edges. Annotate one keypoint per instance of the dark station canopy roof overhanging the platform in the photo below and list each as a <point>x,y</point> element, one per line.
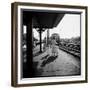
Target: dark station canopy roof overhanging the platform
<point>43,19</point>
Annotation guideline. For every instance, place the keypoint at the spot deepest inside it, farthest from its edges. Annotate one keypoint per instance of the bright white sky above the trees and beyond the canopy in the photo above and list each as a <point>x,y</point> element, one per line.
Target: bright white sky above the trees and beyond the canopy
<point>68,27</point>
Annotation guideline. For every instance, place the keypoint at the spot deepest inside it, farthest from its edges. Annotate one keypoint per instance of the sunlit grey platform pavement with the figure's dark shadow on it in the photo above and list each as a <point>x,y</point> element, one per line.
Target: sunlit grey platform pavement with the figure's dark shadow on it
<point>64,64</point>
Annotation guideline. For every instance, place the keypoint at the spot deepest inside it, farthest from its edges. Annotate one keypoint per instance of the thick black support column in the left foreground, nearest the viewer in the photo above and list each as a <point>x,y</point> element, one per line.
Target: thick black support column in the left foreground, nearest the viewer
<point>30,71</point>
